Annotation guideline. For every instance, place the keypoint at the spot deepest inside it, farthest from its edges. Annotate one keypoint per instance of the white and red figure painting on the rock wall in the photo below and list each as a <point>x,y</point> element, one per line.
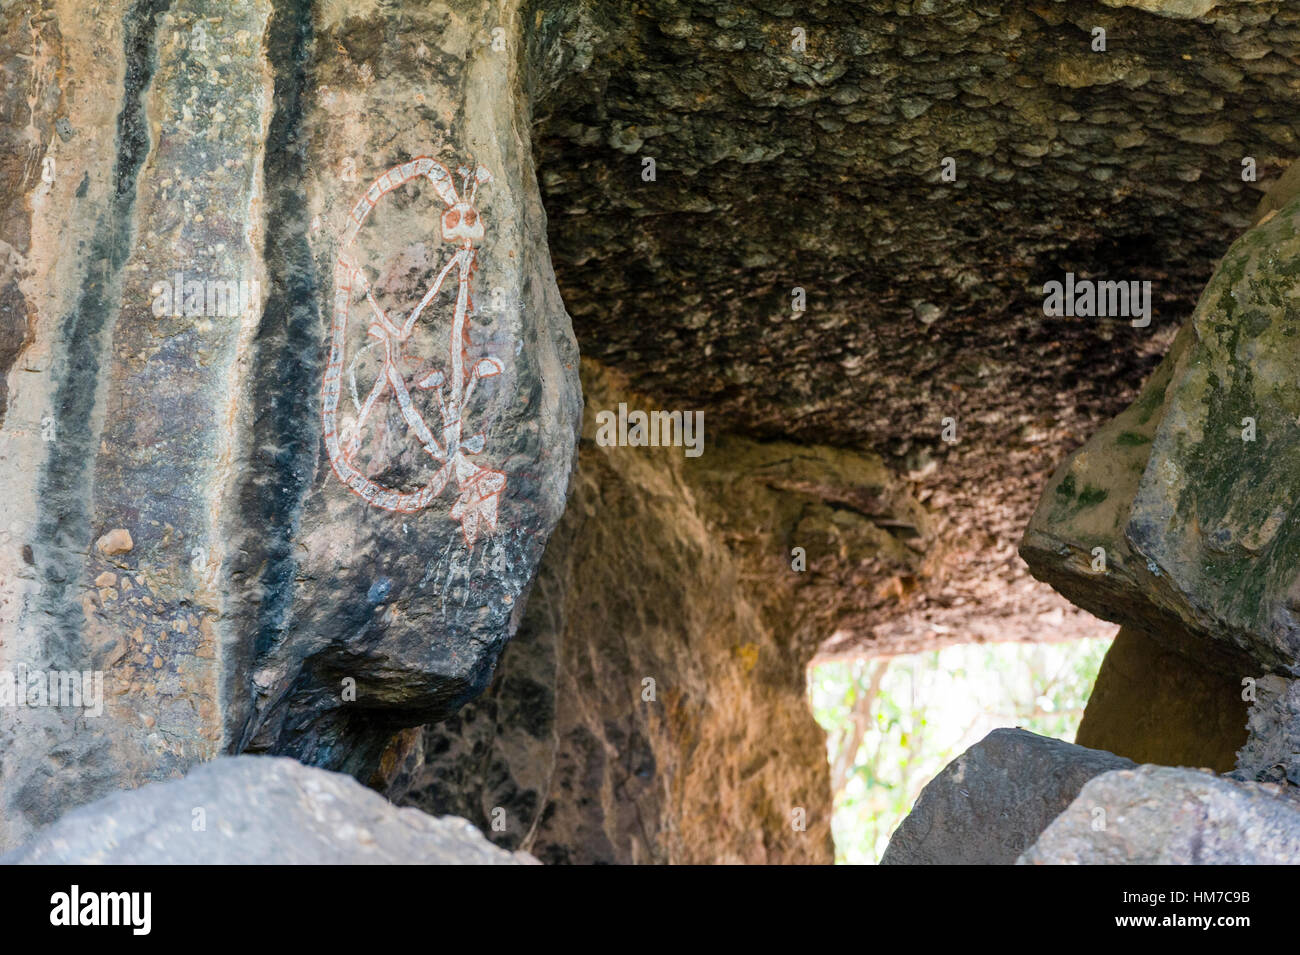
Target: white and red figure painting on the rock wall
<point>388,348</point>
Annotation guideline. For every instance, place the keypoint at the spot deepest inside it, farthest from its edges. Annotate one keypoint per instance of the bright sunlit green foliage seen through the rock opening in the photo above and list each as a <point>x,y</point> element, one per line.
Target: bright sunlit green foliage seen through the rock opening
<point>892,724</point>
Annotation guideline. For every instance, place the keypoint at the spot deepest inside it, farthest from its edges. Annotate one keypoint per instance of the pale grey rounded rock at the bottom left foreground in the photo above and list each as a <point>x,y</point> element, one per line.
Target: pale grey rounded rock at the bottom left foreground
<point>257,811</point>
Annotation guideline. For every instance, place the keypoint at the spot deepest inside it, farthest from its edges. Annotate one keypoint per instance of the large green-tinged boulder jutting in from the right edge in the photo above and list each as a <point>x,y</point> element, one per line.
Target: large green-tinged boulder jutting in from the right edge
<point>1185,497</point>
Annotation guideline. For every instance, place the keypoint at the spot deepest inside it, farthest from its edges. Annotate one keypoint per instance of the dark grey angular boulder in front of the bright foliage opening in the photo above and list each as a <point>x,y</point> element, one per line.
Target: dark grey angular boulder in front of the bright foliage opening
<point>994,801</point>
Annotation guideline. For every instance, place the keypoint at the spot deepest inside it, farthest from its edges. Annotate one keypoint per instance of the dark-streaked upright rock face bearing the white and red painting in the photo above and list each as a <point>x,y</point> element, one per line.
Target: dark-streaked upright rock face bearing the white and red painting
<point>188,293</point>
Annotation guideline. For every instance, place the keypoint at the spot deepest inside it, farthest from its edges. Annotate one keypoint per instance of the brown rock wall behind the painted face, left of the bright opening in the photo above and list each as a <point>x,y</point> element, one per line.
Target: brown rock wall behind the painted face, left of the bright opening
<point>701,607</point>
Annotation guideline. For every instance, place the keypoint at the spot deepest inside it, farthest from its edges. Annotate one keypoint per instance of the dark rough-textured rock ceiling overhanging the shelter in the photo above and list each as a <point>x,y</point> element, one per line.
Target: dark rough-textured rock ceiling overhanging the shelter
<point>821,170</point>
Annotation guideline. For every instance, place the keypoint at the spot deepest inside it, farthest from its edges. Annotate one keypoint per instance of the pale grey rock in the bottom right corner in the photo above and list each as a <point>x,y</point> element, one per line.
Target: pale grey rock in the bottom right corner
<point>1164,817</point>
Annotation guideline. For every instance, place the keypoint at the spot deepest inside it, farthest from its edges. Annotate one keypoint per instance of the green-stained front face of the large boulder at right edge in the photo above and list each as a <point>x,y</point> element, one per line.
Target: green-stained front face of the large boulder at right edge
<point>1212,511</point>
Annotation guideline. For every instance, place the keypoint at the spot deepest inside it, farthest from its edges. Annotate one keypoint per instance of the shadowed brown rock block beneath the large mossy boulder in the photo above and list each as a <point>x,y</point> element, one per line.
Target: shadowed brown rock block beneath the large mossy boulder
<point>1155,705</point>
